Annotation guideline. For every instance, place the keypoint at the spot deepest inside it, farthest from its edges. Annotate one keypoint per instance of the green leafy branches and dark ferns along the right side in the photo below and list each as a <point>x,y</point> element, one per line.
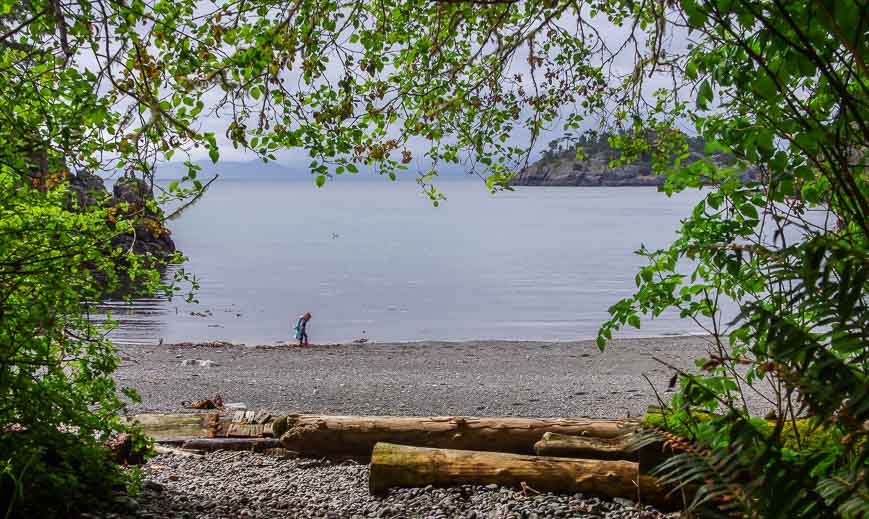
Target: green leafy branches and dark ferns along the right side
<point>783,86</point>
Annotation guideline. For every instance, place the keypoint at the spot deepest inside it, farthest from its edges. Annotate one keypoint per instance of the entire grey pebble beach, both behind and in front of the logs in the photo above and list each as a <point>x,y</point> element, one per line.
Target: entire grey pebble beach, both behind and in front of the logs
<point>483,378</point>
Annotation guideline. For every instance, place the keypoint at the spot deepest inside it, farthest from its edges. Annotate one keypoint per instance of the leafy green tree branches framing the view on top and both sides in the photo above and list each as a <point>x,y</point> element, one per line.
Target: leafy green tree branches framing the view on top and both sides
<point>781,85</point>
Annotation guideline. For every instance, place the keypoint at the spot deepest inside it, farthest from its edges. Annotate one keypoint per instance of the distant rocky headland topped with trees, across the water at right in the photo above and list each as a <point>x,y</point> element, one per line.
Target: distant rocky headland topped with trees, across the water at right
<point>559,165</point>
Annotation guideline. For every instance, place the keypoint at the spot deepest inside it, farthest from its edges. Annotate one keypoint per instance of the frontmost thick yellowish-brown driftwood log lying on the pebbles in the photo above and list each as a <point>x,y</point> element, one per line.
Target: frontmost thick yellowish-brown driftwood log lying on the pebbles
<point>403,466</point>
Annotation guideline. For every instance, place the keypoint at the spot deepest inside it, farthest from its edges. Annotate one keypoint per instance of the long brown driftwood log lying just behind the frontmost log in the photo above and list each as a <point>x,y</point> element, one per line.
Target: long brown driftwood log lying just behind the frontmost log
<point>314,435</point>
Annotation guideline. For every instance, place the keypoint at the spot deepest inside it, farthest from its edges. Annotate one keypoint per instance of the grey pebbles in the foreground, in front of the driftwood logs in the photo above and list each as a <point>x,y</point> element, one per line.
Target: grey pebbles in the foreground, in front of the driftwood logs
<point>241,484</point>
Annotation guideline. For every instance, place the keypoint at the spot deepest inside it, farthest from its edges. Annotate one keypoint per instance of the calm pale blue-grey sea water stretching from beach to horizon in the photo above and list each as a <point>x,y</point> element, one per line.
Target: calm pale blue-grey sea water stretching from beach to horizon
<point>375,259</point>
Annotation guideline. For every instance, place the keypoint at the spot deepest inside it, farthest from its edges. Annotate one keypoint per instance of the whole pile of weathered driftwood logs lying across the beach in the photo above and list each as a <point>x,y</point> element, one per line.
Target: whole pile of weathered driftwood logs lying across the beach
<point>534,454</point>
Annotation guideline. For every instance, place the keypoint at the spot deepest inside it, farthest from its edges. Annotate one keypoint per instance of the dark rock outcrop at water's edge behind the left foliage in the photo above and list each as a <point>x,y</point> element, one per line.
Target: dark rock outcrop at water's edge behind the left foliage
<point>133,198</point>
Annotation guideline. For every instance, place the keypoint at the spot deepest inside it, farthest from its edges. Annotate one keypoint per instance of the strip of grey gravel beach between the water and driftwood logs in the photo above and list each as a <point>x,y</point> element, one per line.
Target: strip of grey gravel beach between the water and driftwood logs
<point>486,378</point>
